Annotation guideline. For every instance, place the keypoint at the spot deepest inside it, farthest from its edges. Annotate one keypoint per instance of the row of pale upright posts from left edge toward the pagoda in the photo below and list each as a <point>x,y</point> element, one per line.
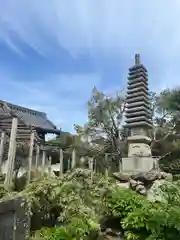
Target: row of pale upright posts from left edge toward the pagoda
<point>40,156</point>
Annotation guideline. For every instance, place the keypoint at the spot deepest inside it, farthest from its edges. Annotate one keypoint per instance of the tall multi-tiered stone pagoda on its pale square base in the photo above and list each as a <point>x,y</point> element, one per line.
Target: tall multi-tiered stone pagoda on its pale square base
<point>138,120</point>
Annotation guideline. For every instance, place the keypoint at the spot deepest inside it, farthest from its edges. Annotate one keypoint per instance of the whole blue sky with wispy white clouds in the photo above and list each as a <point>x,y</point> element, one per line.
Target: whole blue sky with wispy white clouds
<point>52,52</point>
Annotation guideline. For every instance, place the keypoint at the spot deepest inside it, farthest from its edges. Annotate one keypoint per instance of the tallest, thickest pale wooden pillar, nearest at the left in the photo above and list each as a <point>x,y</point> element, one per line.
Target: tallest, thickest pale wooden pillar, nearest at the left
<point>11,152</point>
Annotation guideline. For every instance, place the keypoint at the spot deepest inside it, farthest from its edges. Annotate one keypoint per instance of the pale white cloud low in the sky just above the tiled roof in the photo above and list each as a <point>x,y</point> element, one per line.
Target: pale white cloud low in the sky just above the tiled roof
<point>63,98</point>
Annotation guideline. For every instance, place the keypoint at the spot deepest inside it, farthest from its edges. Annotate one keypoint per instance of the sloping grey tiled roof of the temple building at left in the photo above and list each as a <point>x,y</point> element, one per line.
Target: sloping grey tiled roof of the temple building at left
<point>33,118</point>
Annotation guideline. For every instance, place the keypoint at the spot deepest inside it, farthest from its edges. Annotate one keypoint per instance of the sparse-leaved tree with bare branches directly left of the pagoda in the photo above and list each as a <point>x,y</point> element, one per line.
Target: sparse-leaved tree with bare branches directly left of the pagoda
<point>103,128</point>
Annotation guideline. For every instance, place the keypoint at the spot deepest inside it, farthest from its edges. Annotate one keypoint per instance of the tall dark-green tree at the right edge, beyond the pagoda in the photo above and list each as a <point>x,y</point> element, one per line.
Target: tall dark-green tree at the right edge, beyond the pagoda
<point>166,120</point>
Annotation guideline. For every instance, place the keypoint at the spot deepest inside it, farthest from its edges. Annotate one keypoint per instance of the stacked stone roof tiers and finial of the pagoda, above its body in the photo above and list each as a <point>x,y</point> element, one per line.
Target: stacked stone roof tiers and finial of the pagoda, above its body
<point>138,109</point>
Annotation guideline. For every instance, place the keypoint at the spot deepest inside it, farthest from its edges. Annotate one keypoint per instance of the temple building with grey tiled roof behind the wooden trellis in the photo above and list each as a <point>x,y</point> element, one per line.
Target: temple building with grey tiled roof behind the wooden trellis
<point>28,121</point>
